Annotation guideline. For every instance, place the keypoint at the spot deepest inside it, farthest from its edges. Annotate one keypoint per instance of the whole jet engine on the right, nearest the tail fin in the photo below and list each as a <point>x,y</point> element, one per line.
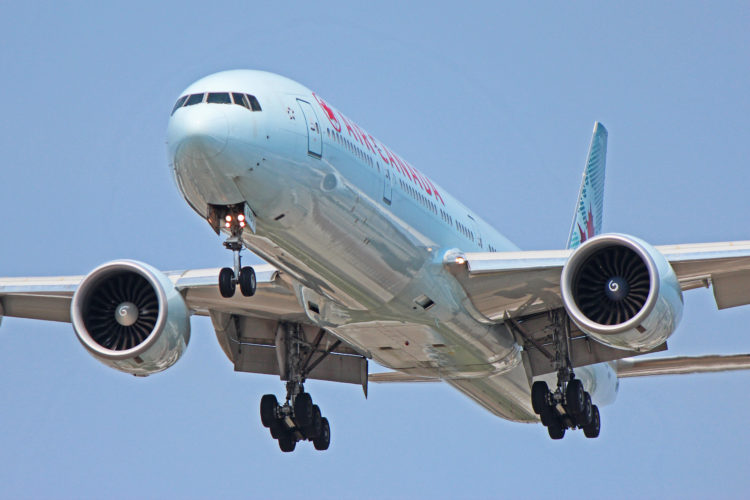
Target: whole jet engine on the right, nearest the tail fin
<point>622,292</point>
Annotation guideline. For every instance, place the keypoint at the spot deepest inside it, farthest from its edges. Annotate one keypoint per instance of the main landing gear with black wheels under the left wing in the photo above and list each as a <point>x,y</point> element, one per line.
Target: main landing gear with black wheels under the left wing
<point>298,418</point>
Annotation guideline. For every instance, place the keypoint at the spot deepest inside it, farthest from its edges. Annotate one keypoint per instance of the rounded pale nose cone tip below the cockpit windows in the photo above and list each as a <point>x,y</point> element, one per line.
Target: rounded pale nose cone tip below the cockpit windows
<point>198,132</point>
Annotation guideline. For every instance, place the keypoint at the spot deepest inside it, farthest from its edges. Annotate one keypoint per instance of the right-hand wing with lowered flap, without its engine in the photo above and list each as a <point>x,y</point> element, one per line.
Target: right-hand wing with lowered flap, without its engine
<point>520,288</point>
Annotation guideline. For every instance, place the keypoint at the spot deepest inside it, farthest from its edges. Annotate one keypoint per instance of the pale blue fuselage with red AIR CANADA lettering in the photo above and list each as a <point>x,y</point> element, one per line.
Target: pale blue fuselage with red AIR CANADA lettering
<point>361,234</point>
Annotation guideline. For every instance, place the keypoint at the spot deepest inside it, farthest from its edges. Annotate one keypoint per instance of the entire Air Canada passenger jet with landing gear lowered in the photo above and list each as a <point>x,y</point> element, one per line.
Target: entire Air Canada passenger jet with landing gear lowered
<point>369,259</point>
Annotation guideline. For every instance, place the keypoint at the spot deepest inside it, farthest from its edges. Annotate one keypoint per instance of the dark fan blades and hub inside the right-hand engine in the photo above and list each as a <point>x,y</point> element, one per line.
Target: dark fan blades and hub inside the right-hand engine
<point>612,285</point>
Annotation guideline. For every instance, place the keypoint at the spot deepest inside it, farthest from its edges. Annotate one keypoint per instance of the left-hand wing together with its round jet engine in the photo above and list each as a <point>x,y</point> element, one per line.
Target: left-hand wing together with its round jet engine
<point>254,332</point>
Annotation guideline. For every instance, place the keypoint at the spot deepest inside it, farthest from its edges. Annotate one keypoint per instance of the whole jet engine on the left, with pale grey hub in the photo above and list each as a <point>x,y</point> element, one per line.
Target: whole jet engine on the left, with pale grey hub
<point>131,317</point>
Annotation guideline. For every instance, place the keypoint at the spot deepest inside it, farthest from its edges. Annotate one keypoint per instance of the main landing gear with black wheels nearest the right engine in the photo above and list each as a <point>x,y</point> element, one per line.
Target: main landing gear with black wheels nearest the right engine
<point>569,406</point>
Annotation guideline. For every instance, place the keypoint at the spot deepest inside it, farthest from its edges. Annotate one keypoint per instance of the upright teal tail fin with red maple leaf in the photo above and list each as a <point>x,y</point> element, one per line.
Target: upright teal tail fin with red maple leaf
<point>587,219</point>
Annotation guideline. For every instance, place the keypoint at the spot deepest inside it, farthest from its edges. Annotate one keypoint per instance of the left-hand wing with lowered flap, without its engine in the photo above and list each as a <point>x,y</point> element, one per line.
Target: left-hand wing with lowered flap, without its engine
<point>246,328</point>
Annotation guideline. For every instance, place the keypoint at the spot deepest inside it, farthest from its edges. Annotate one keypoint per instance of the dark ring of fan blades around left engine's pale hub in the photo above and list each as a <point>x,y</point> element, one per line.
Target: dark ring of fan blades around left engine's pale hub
<point>110,293</point>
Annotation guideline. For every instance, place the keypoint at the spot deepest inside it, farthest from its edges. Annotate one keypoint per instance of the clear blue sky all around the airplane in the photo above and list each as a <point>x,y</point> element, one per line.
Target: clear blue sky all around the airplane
<point>496,103</point>
